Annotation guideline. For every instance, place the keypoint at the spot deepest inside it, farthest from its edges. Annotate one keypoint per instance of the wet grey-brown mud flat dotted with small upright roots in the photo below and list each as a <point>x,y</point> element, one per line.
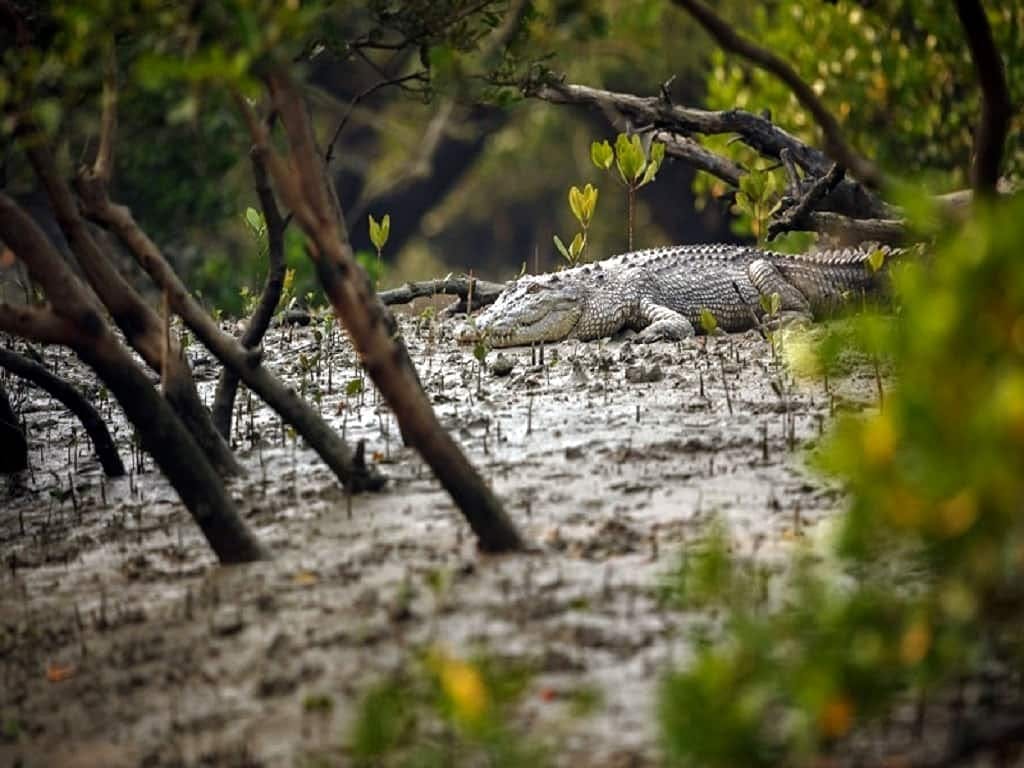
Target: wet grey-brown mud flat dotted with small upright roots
<point>123,644</point>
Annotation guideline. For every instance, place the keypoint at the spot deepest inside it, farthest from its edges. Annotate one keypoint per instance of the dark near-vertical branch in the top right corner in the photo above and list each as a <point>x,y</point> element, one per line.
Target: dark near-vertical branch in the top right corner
<point>991,138</point>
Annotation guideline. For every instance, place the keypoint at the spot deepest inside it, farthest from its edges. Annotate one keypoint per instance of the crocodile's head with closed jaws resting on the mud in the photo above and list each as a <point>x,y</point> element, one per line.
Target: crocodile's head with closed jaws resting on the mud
<point>534,309</point>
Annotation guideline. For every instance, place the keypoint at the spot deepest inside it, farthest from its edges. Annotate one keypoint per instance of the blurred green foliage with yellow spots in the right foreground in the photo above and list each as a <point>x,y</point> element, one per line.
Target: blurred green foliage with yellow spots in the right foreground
<point>925,578</point>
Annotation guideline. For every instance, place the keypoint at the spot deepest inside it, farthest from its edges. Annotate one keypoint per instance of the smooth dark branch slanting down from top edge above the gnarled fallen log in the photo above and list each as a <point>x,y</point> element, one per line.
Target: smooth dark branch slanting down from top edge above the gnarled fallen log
<point>836,145</point>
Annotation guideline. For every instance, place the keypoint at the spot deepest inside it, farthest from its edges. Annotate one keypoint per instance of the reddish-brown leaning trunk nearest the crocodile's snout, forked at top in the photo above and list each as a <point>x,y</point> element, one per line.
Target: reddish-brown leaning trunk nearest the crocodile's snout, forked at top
<point>371,327</point>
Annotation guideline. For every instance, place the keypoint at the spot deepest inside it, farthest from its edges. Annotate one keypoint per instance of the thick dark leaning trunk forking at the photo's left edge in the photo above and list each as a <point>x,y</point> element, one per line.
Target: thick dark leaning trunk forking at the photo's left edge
<point>76,320</point>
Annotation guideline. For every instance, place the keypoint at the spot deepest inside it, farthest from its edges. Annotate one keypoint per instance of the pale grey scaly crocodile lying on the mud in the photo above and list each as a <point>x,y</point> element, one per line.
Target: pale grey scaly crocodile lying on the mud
<point>662,293</point>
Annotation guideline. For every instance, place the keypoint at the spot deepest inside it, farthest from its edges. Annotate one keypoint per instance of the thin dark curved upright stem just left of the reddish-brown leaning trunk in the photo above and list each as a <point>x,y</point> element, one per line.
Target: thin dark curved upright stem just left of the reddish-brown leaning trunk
<point>228,386</point>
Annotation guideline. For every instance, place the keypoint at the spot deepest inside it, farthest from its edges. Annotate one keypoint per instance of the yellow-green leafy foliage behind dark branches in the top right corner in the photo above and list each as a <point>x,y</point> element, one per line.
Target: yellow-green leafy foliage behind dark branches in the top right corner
<point>897,74</point>
